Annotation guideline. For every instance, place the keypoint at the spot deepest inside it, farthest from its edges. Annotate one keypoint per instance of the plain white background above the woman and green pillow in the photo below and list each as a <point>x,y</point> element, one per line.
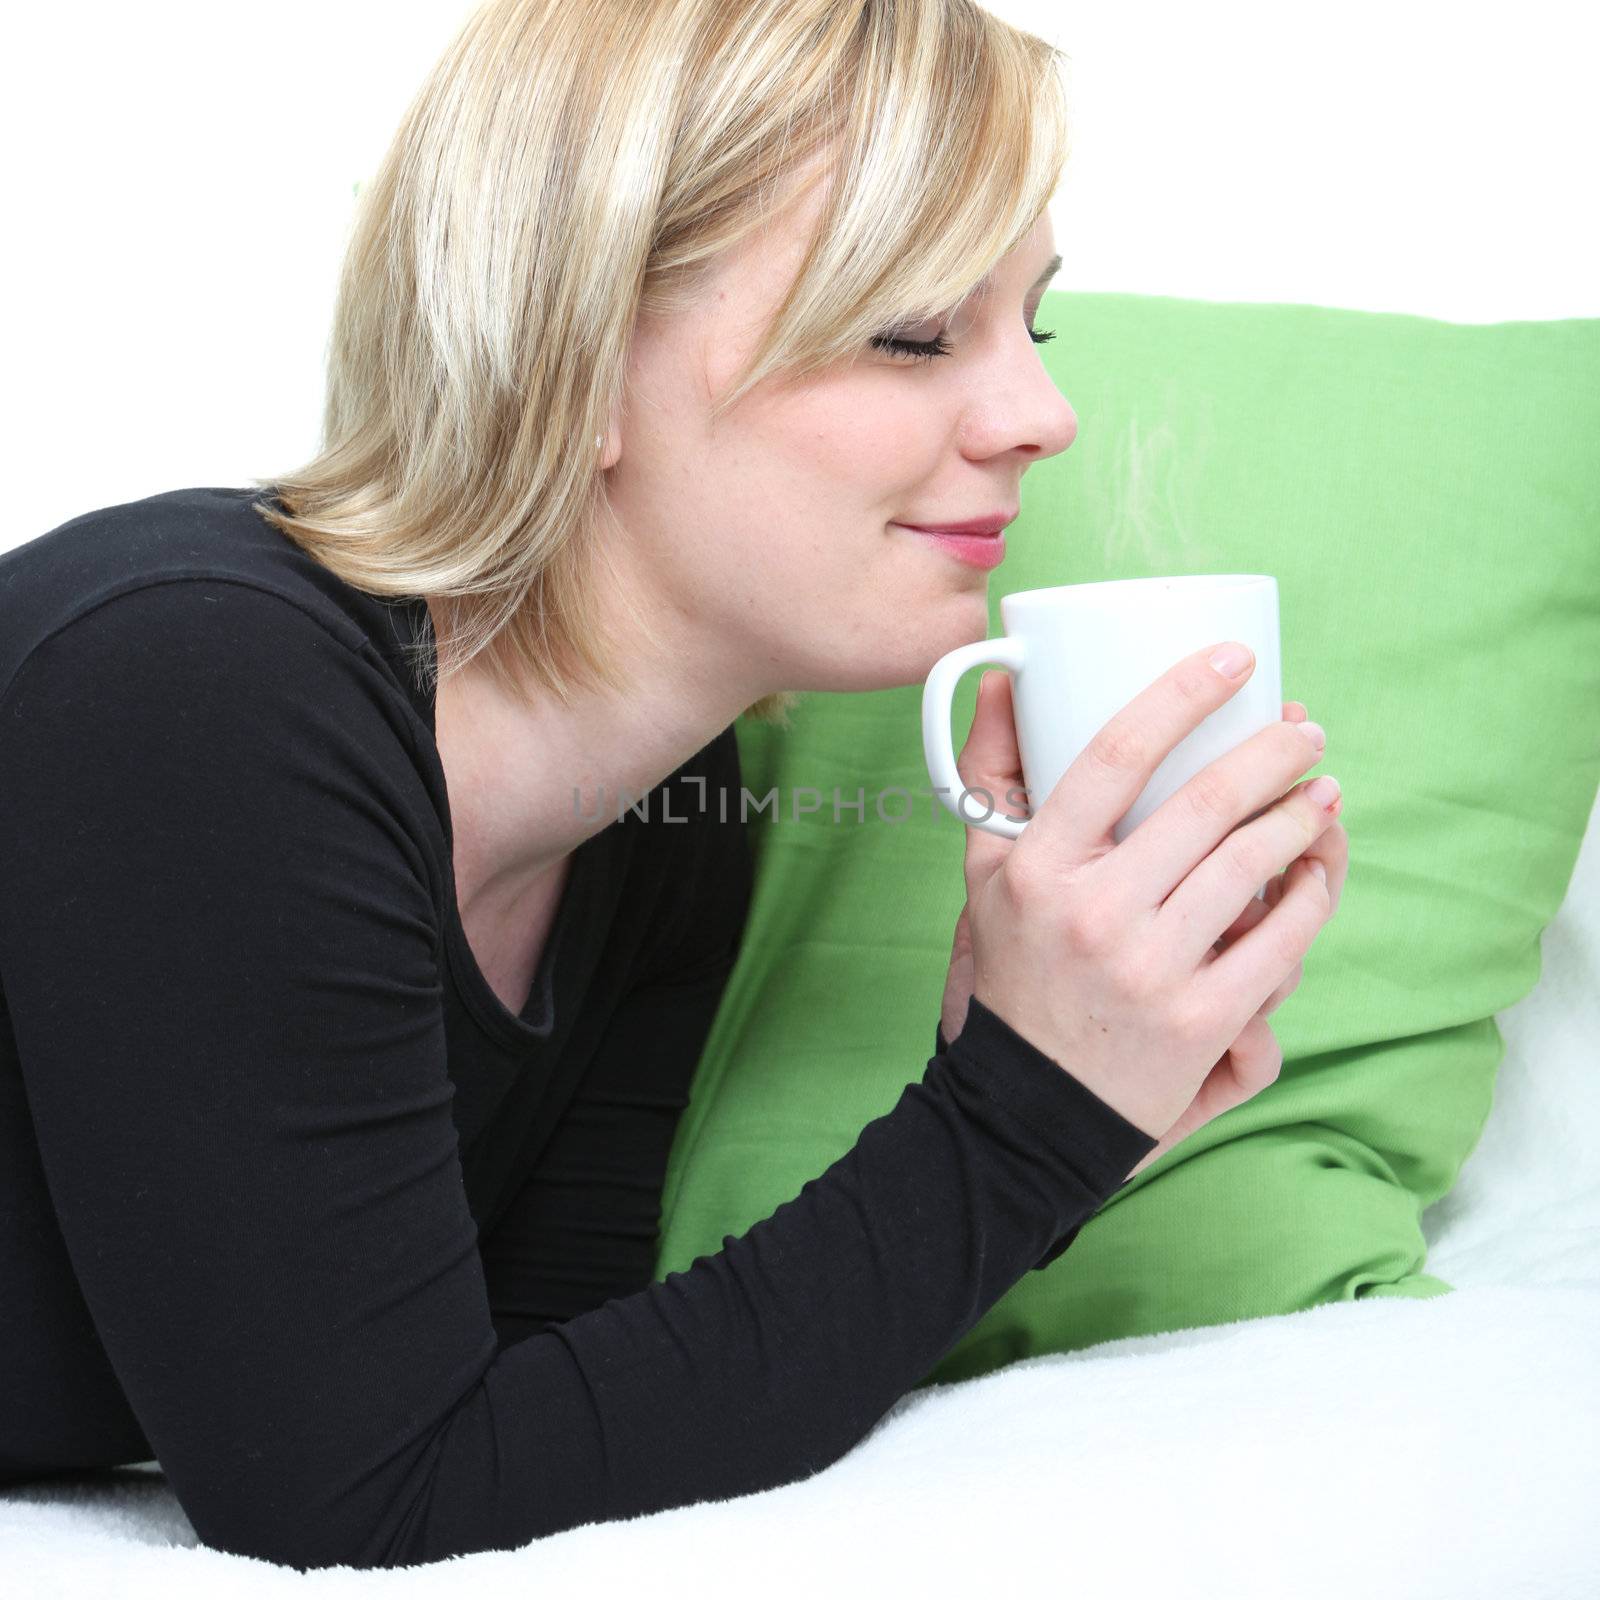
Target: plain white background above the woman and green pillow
<point>183,182</point>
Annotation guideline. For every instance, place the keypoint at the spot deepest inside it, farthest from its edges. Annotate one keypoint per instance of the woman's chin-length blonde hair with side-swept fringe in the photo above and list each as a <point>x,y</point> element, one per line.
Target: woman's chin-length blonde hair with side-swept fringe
<point>567,169</point>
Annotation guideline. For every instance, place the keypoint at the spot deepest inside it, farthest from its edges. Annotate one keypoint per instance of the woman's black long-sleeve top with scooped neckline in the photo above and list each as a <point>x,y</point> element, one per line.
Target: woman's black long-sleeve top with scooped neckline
<point>290,1201</point>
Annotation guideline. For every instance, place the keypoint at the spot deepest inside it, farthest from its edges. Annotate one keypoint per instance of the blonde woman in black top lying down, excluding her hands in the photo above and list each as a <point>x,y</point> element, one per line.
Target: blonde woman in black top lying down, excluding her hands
<point>353,990</point>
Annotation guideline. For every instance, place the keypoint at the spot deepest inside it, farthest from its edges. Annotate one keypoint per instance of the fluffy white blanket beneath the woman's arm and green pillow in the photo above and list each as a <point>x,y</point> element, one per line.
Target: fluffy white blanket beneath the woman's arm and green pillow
<point>1423,1449</point>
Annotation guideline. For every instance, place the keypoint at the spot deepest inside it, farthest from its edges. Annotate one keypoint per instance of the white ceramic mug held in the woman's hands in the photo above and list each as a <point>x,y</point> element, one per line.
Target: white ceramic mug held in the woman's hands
<point>1079,654</point>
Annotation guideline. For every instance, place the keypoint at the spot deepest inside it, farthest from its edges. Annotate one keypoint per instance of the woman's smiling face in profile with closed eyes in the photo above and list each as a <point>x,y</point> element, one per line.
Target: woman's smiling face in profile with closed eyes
<point>772,550</point>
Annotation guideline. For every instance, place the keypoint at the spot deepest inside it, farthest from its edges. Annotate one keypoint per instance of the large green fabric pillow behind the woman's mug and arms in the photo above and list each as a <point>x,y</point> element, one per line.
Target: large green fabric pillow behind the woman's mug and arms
<point>1428,497</point>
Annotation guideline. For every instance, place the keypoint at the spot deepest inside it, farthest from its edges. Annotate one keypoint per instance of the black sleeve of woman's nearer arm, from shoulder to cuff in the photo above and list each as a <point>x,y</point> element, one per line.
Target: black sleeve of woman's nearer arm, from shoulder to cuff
<point>220,950</point>
